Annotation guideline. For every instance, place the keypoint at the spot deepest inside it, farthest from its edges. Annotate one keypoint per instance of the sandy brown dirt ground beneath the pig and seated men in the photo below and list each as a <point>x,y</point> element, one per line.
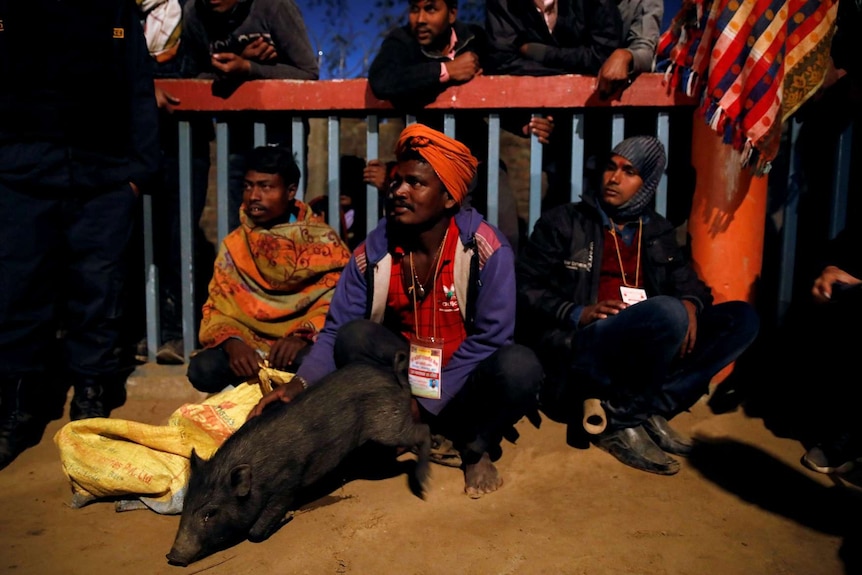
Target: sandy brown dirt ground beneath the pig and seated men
<point>741,505</point>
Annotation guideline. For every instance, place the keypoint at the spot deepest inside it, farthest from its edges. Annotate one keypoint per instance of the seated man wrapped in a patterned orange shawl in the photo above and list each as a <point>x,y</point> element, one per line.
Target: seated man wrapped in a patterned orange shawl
<point>273,280</point>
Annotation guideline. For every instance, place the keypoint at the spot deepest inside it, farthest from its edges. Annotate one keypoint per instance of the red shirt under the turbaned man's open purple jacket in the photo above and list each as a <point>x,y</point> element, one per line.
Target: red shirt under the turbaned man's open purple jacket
<point>438,315</point>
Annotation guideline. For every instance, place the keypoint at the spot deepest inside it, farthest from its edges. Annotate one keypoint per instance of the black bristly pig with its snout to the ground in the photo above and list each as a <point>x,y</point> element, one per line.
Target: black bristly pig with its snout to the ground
<point>248,486</point>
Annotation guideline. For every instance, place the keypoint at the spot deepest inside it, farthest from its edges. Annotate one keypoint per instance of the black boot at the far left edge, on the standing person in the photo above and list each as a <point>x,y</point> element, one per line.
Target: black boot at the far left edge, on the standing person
<point>20,428</point>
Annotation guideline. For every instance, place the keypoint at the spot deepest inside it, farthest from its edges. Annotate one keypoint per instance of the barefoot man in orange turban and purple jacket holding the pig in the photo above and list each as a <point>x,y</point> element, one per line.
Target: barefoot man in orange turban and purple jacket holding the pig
<point>435,280</point>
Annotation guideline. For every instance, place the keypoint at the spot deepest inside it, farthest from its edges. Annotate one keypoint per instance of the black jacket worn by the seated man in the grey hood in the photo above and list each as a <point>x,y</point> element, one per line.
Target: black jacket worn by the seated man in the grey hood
<point>559,270</point>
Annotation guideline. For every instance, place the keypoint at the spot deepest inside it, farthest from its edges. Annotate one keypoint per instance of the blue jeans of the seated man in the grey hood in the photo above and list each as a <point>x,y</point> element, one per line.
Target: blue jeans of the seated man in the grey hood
<point>632,362</point>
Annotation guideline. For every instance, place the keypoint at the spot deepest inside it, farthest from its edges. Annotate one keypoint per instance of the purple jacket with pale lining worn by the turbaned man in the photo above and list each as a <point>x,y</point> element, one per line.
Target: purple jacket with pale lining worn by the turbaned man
<point>484,280</point>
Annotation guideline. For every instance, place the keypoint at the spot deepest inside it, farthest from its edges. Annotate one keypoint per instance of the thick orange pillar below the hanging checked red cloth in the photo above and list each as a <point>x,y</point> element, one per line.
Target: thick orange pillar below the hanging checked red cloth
<point>727,220</point>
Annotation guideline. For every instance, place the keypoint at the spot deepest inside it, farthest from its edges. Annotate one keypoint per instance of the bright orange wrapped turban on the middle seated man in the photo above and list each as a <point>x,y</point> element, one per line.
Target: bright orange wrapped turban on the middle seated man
<point>451,160</point>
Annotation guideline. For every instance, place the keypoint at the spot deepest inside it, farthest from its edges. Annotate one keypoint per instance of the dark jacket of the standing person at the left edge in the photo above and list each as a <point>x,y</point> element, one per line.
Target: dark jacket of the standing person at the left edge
<point>77,104</point>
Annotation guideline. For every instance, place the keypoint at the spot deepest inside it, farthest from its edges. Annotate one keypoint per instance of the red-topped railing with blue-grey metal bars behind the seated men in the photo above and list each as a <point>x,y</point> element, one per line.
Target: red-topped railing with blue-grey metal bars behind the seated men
<point>335,101</point>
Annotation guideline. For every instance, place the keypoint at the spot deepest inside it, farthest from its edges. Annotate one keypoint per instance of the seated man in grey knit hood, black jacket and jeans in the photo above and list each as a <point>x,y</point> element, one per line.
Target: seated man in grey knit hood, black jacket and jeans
<point>628,334</point>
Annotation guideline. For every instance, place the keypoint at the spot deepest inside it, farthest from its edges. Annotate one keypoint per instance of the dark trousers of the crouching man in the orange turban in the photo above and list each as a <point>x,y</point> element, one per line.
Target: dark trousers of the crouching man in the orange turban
<point>501,390</point>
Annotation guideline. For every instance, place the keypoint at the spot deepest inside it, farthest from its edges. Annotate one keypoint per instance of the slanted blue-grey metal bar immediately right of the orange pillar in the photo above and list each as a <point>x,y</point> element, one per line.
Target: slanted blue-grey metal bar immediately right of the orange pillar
<point>787,262</point>
